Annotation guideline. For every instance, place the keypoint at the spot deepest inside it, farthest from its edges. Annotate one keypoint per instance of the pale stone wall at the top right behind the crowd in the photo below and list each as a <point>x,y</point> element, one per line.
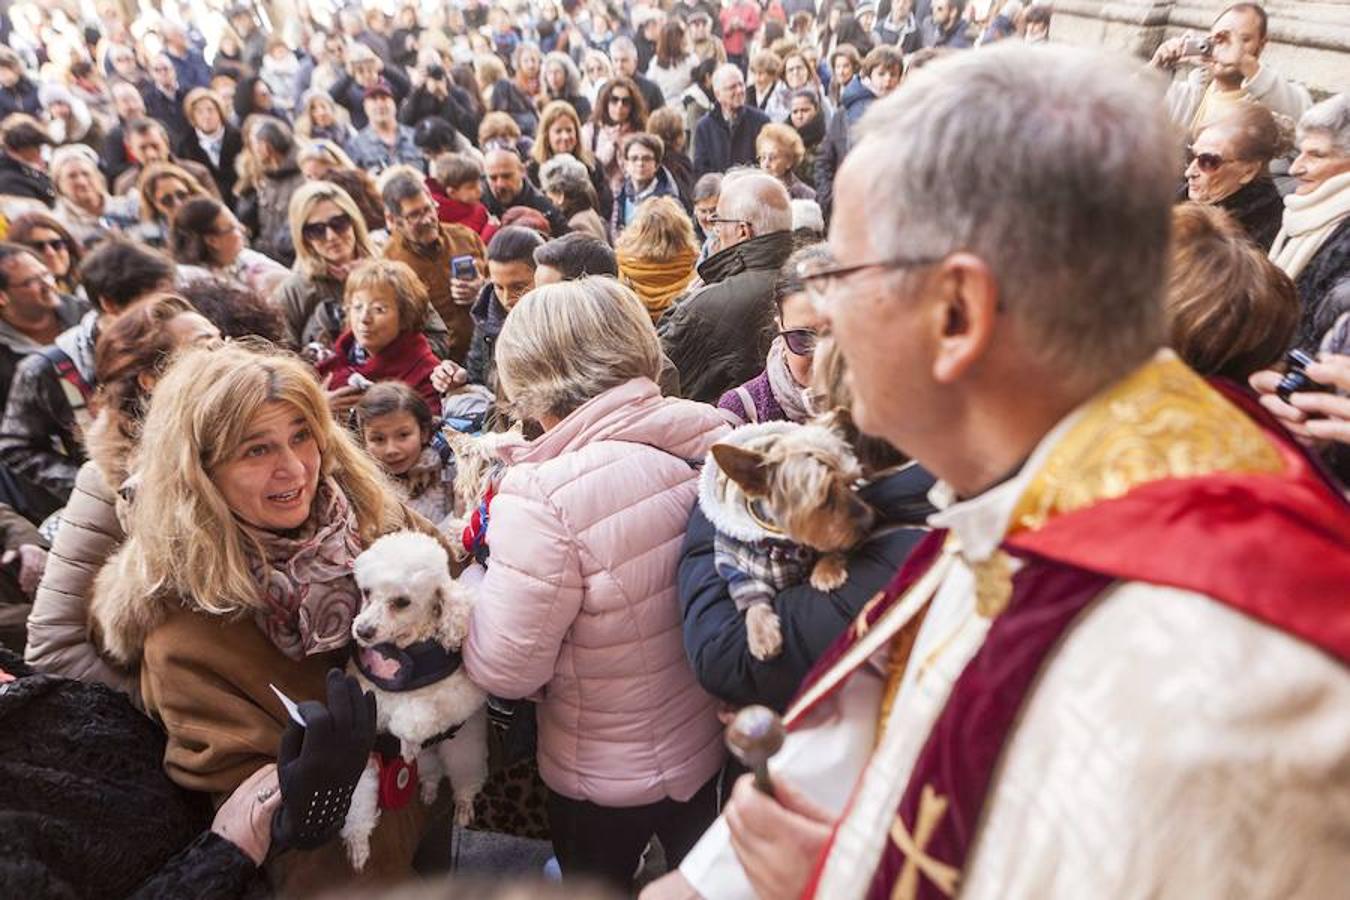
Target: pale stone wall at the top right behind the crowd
<point>1309,43</point>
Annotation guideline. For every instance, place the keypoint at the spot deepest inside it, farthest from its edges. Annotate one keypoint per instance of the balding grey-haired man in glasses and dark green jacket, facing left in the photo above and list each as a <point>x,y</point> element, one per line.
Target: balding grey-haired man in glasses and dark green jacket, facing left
<point>720,337</point>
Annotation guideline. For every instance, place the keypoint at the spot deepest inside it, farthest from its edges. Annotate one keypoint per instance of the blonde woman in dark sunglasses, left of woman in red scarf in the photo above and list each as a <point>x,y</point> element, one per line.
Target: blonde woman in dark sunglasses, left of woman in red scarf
<point>331,238</point>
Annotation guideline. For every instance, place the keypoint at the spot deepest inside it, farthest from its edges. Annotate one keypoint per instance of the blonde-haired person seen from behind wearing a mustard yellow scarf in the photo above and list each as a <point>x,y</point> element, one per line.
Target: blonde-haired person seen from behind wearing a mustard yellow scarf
<point>657,254</point>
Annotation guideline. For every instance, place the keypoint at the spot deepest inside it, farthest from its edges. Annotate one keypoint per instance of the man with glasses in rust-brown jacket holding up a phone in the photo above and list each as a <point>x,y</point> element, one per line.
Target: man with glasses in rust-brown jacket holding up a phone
<point>433,249</point>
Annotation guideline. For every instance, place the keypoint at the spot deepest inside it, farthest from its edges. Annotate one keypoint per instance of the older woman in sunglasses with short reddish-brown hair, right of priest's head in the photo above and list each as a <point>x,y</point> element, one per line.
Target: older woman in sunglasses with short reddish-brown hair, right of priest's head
<point>1231,168</point>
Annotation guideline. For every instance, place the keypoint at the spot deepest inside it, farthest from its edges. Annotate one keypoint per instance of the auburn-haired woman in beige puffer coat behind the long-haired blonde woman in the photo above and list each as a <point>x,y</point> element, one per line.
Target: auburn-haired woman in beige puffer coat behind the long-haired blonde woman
<point>130,358</point>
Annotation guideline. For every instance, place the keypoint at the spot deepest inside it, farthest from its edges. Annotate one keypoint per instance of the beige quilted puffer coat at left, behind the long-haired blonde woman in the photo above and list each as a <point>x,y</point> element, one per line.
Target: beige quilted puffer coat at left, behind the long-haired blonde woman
<point>59,628</point>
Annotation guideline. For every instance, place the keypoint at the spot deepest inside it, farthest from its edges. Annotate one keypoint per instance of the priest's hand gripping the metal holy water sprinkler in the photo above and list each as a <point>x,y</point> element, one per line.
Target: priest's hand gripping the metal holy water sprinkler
<point>777,840</point>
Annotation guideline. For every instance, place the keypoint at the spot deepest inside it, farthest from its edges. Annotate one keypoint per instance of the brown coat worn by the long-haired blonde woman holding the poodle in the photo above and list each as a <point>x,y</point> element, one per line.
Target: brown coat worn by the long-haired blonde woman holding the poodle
<point>207,679</point>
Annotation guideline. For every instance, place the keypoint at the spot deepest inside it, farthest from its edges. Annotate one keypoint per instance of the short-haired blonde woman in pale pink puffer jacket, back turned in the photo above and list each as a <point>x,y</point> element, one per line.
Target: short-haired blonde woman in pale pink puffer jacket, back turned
<point>628,743</point>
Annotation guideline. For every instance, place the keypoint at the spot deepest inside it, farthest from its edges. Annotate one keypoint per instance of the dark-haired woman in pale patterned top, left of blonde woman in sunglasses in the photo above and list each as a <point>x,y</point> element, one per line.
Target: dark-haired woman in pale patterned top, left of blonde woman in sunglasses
<point>209,242</point>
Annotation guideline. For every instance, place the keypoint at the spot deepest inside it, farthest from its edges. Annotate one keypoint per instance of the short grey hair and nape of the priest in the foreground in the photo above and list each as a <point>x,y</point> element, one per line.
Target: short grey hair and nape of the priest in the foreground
<point>1056,167</point>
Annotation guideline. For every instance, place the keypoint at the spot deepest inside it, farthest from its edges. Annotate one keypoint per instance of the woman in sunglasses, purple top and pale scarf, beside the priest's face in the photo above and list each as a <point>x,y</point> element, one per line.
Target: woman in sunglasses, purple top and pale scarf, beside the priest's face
<point>781,392</point>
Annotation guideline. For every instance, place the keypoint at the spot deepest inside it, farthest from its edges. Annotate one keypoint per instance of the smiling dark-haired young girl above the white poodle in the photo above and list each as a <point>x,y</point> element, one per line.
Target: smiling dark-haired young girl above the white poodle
<point>400,434</point>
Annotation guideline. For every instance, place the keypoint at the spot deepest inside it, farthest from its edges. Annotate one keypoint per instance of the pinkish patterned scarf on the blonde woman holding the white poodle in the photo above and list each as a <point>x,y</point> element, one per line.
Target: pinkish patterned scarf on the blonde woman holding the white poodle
<point>306,581</point>
